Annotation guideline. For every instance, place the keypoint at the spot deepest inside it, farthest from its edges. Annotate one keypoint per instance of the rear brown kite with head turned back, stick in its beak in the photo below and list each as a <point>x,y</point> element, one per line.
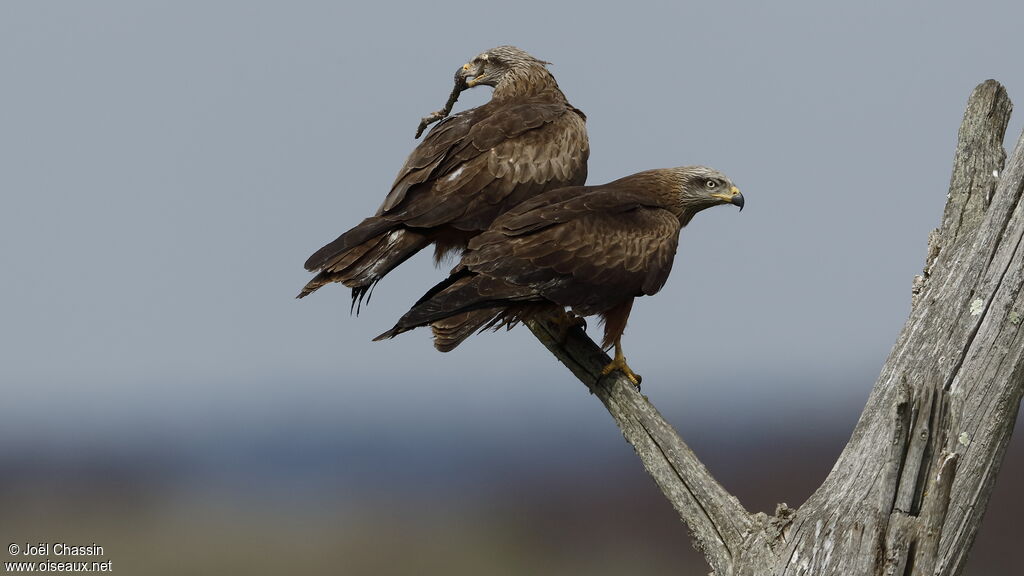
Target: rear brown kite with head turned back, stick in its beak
<point>471,169</point>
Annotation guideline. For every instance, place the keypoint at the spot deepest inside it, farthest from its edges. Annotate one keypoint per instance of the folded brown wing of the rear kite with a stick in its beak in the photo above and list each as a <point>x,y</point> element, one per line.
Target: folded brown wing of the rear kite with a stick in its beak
<point>476,166</point>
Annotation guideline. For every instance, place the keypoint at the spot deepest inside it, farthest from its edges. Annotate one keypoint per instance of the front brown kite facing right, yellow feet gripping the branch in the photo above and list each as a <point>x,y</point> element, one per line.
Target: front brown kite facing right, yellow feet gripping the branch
<point>593,250</point>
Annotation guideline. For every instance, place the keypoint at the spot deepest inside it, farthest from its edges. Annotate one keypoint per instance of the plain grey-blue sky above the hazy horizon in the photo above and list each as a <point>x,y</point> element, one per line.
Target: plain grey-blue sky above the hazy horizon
<point>168,167</point>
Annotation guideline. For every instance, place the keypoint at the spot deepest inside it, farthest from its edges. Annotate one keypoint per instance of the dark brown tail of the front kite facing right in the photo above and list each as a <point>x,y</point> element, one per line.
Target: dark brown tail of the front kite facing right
<point>460,306</point>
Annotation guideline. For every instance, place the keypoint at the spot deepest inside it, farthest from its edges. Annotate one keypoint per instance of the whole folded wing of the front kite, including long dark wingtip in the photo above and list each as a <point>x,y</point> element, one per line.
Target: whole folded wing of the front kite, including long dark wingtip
<point>592,251</point>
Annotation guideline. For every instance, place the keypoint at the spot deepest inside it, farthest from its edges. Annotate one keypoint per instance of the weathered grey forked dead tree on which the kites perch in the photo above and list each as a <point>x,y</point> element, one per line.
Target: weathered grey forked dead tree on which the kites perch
<point>909,492</point>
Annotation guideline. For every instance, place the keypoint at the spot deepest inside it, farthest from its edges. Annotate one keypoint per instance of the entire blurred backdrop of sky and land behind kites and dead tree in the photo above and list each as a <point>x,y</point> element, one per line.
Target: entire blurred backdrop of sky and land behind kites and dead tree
<point>166,169</point>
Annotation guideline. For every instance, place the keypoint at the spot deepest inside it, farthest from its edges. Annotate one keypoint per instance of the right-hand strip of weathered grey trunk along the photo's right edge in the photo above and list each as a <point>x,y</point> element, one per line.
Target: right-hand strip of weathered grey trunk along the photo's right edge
<point>990,384</point>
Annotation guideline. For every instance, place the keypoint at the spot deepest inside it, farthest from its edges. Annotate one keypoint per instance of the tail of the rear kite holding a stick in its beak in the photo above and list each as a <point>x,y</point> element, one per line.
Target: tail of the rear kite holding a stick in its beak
<point>363,256</point>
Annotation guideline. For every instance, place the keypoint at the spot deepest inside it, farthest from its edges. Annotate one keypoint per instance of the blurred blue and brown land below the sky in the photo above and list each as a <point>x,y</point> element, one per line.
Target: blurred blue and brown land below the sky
<point>505,505</point>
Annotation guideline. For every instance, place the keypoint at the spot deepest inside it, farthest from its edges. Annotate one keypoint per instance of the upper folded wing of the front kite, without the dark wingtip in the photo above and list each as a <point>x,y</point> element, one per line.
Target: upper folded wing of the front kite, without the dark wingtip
<point>590,251</point>
